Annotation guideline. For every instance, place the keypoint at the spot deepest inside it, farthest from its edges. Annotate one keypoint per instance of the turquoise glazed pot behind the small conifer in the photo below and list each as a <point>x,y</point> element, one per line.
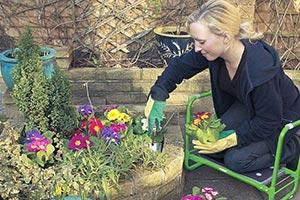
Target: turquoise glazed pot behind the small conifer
<point>8,63</point>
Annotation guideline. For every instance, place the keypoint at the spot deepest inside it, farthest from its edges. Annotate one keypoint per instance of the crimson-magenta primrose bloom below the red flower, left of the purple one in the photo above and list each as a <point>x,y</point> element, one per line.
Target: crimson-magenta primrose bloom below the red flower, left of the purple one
<point>79,141</point>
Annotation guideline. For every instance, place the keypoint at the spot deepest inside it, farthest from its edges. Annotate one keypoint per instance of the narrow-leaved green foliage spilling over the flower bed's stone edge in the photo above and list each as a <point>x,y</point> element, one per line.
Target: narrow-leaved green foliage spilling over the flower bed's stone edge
<point>82,171</point>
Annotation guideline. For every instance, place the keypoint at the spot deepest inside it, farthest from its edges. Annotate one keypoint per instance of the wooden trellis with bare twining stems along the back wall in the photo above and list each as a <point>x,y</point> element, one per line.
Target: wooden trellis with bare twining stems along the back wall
<point>110,32</point>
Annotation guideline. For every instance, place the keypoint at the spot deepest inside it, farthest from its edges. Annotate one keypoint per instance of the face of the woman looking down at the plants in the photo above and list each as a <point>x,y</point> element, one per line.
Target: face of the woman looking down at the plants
<point>207,43</point>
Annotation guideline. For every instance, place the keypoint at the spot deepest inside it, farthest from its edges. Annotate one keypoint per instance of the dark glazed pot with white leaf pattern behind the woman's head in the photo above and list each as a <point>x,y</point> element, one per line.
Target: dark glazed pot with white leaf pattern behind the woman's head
<point>172,44</point>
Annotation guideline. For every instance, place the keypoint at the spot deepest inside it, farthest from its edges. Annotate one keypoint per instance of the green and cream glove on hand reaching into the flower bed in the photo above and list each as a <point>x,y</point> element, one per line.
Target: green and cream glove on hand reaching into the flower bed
<point>154,112</point>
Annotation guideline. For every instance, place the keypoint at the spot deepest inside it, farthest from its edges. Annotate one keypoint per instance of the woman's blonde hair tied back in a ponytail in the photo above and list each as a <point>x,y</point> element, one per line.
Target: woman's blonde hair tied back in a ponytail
<point>220,16</point>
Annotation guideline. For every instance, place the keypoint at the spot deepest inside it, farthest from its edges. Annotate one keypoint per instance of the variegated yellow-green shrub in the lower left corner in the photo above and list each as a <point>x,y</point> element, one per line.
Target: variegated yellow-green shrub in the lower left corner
<point>21,177</point>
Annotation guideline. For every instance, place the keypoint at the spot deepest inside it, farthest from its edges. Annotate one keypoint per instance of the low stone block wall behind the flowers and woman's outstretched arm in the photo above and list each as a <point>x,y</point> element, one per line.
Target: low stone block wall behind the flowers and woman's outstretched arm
<point>131,86</point>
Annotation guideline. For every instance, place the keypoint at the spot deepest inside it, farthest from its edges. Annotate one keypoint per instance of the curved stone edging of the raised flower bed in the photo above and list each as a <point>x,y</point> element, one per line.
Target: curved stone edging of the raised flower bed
<point>161,183</point>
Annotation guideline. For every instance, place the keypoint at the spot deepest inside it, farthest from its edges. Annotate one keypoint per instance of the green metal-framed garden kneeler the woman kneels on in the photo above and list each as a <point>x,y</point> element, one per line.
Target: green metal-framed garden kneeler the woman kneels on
<point>267,183</point>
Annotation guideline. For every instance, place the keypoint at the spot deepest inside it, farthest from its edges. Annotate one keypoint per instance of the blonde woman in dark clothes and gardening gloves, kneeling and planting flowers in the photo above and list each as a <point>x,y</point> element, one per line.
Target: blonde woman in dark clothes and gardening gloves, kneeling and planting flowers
<point>250,90</point>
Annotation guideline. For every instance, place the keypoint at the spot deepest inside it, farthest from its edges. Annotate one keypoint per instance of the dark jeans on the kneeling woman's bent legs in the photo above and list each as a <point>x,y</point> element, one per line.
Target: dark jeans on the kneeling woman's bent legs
<point>254,156</point>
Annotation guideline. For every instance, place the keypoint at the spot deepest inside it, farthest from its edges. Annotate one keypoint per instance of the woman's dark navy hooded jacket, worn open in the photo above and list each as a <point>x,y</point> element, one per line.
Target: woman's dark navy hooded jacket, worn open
<point>271,98</point>
